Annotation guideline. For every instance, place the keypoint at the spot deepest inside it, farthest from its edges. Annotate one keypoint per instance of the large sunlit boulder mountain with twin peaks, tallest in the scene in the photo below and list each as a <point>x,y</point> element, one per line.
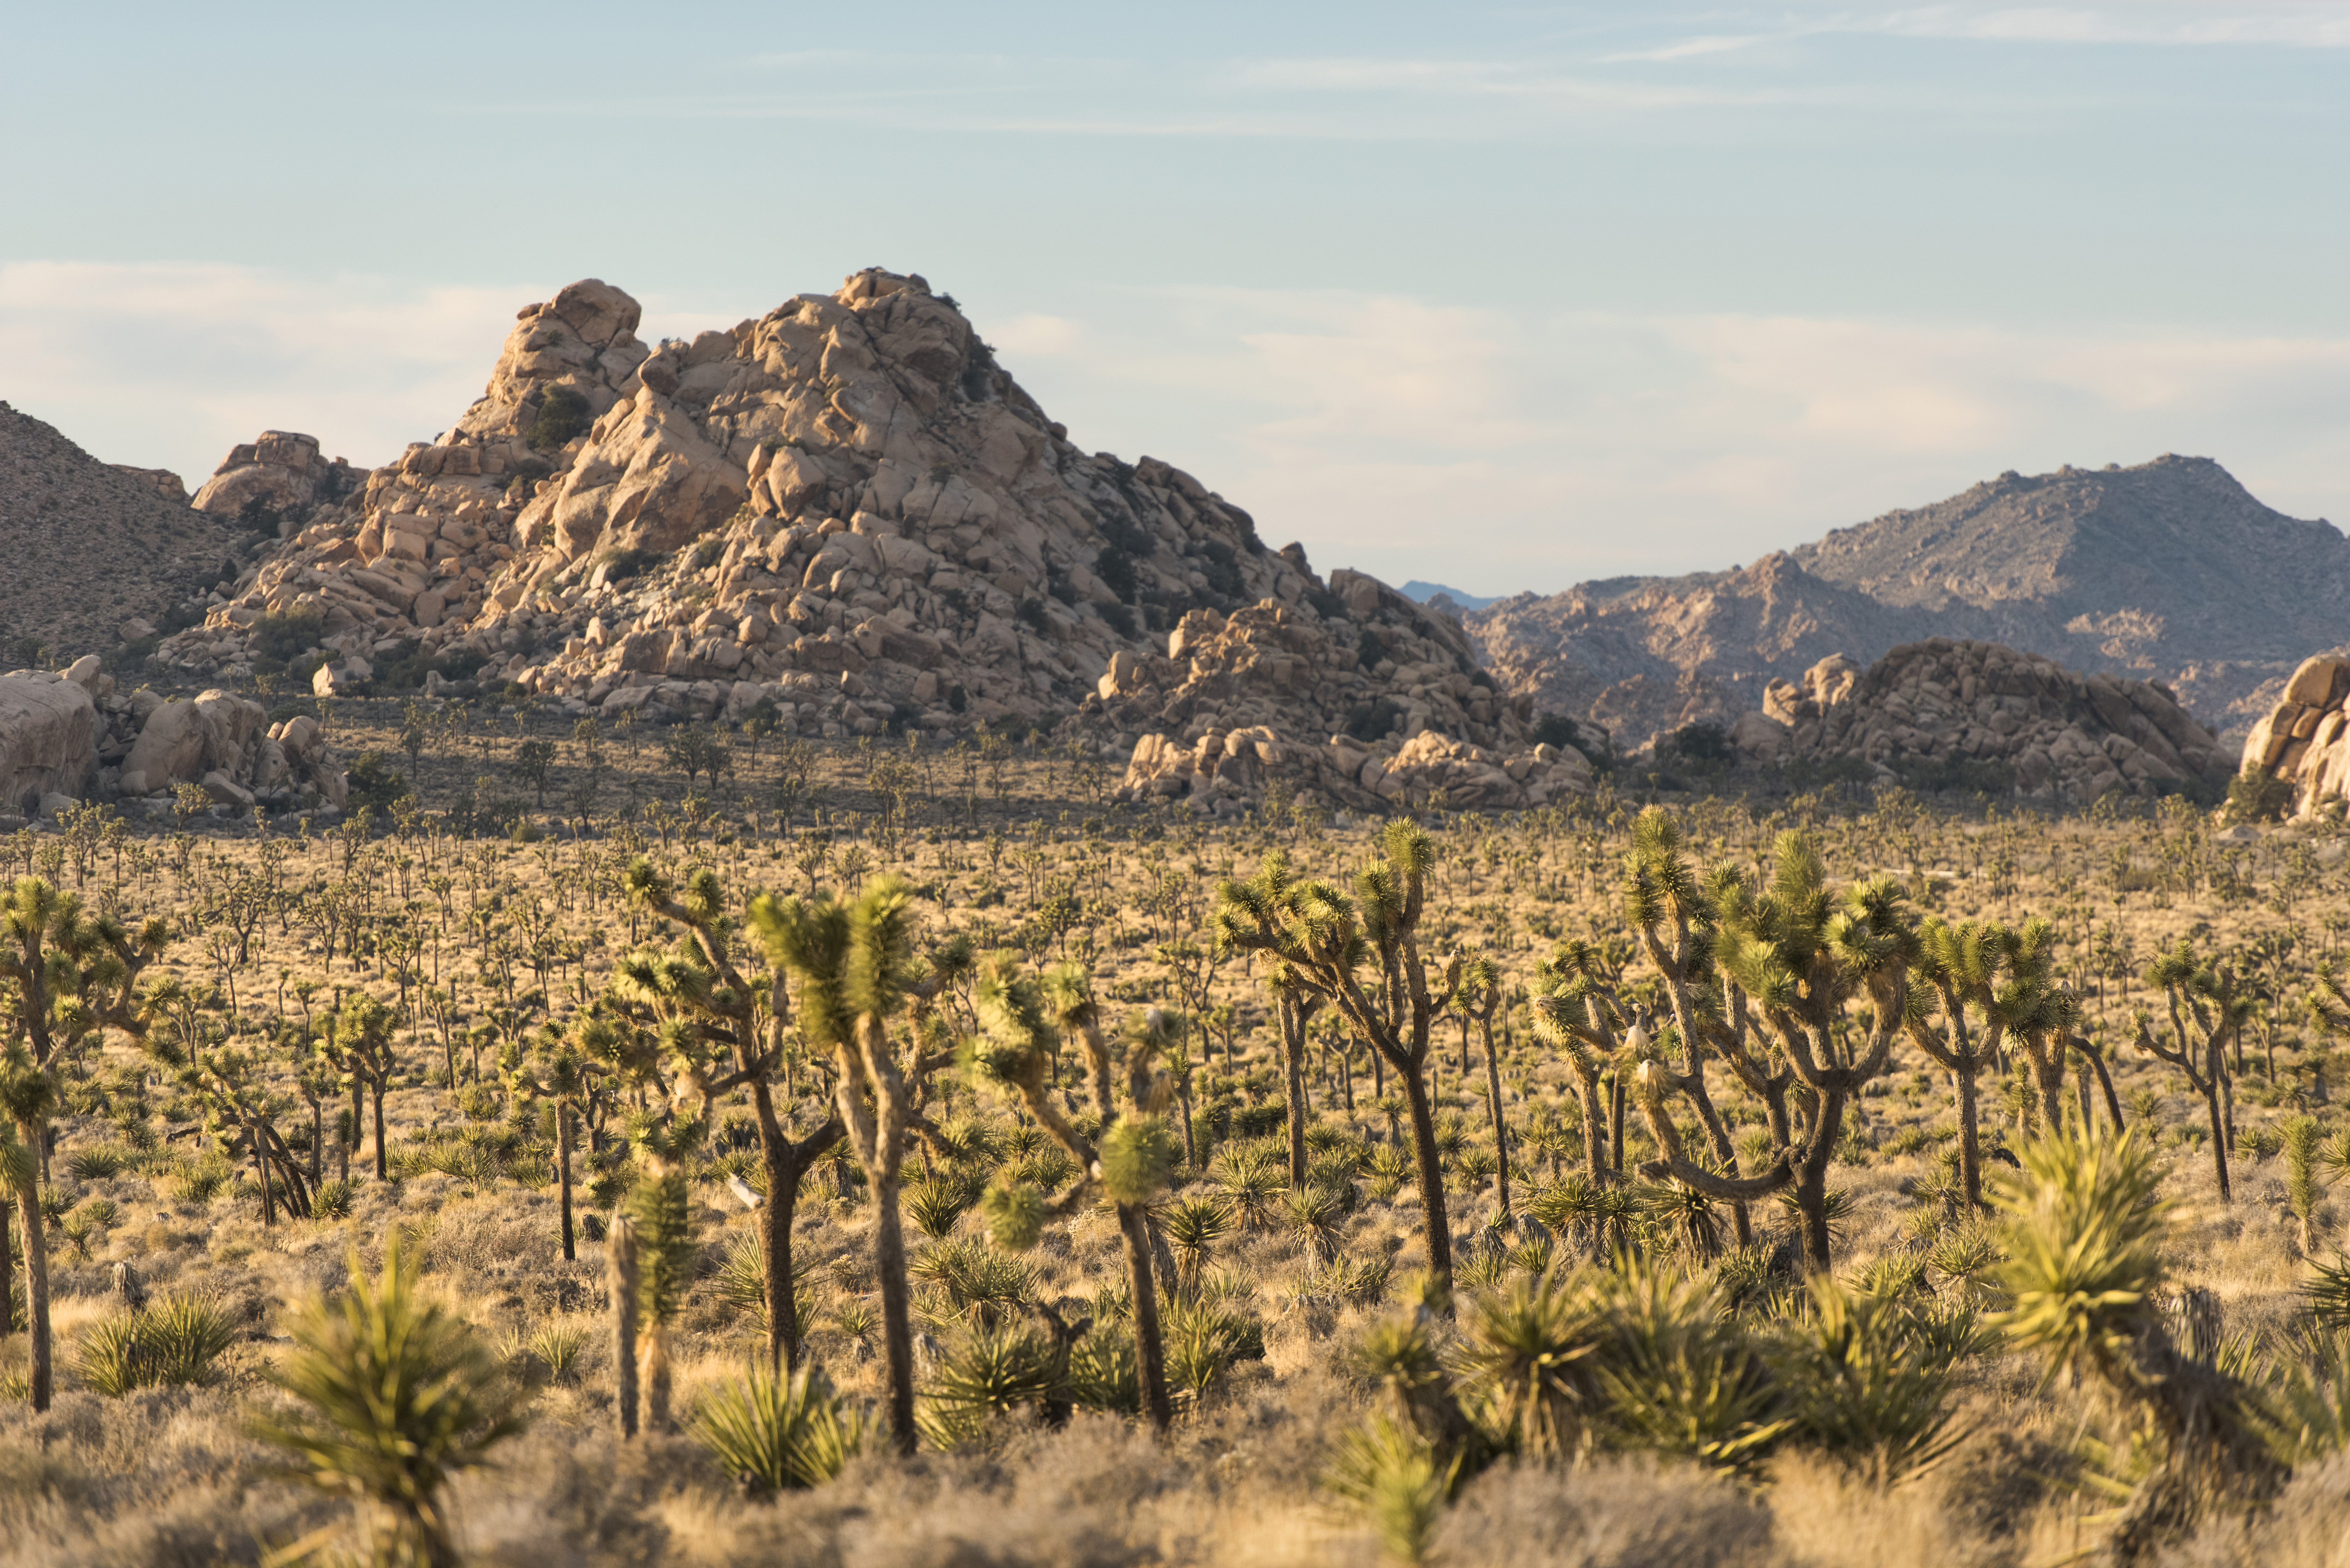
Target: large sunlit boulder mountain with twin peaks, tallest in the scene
<point>845,509</point>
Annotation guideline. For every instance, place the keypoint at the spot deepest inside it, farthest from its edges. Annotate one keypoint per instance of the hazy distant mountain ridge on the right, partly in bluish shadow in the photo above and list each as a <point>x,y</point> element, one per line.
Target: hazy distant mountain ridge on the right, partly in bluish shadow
<point>2158,572</point>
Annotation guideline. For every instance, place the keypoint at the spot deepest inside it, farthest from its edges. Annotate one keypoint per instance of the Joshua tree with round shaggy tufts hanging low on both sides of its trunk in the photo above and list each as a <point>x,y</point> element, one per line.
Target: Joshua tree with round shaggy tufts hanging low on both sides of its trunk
<point>1134,1158</point>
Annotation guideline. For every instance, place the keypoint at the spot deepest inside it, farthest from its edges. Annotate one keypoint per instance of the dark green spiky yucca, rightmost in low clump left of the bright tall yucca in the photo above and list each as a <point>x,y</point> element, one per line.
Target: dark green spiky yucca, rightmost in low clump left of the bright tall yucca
<point>1860,1386</point>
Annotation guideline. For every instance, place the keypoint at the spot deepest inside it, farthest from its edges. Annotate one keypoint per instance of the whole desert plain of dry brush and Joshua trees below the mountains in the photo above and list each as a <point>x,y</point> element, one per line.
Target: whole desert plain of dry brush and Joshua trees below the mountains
<point>861,1153</point>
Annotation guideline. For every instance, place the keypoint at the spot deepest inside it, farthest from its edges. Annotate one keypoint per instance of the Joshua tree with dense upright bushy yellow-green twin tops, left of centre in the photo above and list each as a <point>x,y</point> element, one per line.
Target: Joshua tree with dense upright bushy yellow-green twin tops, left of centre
<point>857,972</point>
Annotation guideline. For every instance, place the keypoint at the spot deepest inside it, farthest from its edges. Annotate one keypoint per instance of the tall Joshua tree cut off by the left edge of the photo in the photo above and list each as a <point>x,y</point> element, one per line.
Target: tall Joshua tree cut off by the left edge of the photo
<point>65,979</point>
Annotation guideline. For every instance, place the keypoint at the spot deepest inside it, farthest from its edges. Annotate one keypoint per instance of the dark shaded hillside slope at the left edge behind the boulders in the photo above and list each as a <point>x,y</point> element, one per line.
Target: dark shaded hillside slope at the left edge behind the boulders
<point>90,554</point>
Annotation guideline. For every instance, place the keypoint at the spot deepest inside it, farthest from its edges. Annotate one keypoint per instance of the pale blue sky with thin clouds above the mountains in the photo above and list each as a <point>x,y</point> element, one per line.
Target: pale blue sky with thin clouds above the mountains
<point>1493,295</point>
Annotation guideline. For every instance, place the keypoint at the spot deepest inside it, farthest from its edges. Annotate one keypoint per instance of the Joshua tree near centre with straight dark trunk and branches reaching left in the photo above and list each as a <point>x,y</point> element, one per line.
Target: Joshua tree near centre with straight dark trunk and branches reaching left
<point>1364,956</point>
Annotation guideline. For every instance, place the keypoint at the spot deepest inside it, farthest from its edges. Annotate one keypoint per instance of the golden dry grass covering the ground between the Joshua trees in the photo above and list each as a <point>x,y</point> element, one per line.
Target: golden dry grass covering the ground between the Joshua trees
<point>166,1475</point>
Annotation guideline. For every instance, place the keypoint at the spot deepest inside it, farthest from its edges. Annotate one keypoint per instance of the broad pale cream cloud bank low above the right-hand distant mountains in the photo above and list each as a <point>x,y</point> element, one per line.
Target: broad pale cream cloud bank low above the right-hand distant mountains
<point>1538,450</point>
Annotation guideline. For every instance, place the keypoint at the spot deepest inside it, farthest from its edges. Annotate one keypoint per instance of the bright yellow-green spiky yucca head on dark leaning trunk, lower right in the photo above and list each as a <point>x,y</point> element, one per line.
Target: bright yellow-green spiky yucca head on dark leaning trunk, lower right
<point>2083,1266</point>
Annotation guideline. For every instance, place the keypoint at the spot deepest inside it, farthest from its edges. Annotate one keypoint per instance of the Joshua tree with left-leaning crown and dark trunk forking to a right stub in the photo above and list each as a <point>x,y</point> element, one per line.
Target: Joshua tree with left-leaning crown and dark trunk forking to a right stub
<point>727,1031</point>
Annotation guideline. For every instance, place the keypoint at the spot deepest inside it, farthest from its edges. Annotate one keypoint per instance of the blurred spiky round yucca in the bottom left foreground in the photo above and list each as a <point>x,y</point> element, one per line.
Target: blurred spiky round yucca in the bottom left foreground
<point>394,1398</point>
